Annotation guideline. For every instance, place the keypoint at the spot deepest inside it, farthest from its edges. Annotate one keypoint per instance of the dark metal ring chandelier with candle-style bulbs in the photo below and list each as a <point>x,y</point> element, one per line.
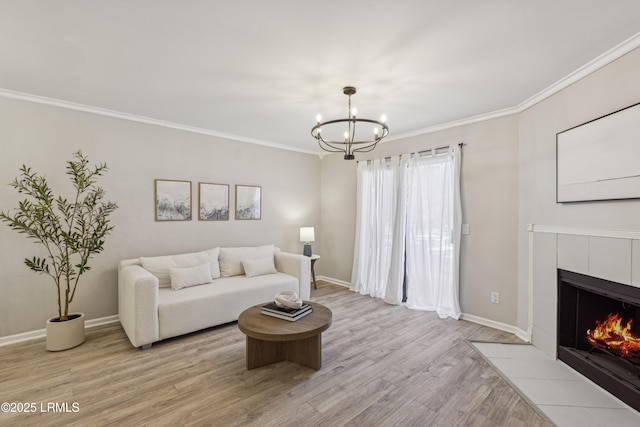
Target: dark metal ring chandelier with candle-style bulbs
<point>349,145</point>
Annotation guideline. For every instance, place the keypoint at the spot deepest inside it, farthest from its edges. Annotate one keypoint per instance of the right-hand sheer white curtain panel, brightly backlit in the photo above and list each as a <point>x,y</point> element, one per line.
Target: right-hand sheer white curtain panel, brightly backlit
<point>433,234</point>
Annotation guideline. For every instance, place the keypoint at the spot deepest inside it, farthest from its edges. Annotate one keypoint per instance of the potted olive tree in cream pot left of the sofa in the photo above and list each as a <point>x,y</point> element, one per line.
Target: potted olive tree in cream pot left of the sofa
<point>71,231</point>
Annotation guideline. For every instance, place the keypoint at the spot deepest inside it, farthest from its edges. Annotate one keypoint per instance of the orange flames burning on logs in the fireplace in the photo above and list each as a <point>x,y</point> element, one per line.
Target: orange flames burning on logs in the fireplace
<point>613,336</point>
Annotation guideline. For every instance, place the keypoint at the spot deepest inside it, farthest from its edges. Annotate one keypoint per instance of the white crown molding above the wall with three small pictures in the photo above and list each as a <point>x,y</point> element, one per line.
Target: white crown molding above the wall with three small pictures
<point>5,93</point>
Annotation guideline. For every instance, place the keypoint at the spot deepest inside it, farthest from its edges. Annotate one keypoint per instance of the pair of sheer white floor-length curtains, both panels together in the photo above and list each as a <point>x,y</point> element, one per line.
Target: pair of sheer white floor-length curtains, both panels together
<point>409,209</point>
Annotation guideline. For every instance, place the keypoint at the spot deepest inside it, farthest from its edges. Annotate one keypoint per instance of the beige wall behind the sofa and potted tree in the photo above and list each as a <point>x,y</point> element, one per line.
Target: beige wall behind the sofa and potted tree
<point>44,138</point>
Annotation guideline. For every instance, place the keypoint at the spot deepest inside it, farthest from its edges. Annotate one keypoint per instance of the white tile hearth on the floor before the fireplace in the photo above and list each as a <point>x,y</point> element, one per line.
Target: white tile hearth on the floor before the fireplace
<point>566,397</point>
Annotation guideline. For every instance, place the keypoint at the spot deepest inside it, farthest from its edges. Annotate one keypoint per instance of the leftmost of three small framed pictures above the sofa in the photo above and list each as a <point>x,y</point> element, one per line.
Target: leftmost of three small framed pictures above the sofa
<point>172,200</point>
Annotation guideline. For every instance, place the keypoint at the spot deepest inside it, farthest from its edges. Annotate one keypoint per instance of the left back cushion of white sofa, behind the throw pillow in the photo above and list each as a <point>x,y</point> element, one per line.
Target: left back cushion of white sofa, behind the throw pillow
<point>159,266</point>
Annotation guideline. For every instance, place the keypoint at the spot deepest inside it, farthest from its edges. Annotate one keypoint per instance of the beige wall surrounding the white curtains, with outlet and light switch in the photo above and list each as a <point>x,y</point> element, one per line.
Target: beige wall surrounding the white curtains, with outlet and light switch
<point>489,199</point>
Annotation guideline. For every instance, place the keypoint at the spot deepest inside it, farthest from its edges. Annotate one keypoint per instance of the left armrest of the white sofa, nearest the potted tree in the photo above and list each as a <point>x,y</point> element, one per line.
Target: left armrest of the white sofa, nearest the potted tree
<point>138,304</point>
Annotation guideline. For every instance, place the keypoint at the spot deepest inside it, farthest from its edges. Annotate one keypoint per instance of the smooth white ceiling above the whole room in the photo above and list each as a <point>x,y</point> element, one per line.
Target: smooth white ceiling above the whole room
<point>260,71</point>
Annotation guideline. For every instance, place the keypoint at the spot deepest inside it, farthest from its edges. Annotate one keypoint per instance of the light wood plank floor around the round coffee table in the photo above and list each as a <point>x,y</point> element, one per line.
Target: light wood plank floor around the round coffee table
<point>382,366</point>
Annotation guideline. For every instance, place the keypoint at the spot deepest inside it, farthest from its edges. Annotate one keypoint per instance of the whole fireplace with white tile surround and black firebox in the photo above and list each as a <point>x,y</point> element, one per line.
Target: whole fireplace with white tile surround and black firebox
<point>580,282</point>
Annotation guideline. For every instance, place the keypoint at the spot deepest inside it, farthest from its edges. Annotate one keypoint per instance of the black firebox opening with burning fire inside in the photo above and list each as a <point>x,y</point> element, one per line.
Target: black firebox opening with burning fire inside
<point>599,332</point>
